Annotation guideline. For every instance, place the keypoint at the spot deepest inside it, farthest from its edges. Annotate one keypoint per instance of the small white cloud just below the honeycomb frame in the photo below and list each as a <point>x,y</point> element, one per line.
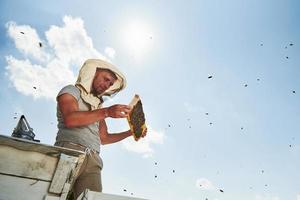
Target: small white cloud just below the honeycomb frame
<point>143,146</point>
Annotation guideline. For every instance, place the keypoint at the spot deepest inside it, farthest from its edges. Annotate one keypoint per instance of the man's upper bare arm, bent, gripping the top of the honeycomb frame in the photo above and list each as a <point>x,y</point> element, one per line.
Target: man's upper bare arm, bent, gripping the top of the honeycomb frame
<point>69,108</point>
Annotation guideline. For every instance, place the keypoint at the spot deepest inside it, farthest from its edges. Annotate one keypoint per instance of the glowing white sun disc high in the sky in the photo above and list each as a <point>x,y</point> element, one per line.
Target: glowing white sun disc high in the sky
<point>137,37</point>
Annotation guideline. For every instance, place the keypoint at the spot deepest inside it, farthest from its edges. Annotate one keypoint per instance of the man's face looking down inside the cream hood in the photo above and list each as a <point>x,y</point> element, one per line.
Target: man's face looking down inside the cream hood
<point>102,81</point>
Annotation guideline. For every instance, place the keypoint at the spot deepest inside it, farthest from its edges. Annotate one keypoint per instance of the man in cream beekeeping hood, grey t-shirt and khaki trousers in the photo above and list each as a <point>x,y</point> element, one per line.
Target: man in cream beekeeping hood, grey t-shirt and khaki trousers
<point>81,117</point>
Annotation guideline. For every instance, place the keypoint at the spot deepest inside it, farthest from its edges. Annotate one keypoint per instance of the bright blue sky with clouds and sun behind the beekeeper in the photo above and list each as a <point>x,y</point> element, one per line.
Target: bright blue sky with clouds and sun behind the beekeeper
<point>248,143</point>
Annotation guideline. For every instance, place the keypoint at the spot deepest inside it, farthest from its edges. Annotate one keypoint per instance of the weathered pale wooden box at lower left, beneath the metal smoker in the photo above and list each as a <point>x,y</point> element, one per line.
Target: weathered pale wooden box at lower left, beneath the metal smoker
<point>30,170</point>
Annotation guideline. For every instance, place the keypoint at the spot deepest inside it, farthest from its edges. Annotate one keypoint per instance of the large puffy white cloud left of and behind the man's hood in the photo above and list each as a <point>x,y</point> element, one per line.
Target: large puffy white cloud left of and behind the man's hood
<point>44,70</point>
